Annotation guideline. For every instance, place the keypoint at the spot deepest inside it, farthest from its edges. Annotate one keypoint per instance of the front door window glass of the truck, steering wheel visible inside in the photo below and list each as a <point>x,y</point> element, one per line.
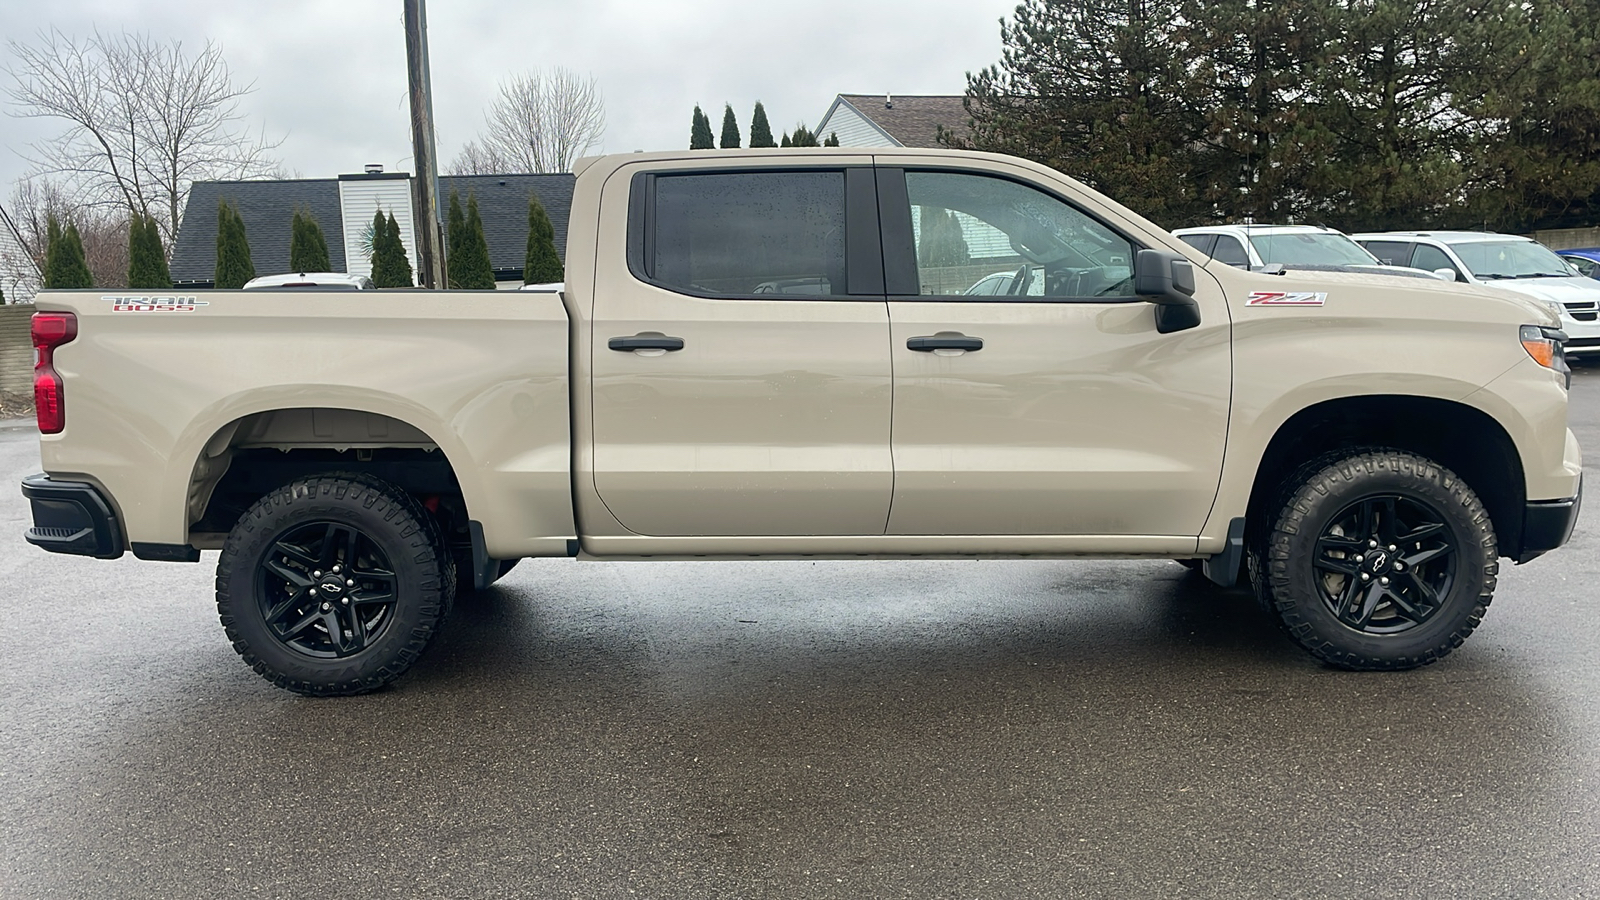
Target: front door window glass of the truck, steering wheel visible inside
<point>969,228</point>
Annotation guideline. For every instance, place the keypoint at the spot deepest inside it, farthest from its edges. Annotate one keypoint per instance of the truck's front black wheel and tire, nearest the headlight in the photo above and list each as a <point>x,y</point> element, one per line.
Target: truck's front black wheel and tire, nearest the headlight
<point>1382,561</point>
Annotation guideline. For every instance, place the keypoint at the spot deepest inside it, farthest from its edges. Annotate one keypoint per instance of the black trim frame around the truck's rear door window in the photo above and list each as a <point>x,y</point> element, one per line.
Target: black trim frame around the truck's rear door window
<point>863,247</point>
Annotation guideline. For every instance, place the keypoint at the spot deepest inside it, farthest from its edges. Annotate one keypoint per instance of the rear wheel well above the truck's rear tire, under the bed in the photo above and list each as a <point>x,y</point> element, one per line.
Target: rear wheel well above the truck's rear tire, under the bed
<point>258,454</point>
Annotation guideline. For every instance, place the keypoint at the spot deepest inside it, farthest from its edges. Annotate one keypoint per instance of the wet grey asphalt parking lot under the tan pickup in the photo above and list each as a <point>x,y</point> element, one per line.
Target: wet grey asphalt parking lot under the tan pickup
<point>799,729</point>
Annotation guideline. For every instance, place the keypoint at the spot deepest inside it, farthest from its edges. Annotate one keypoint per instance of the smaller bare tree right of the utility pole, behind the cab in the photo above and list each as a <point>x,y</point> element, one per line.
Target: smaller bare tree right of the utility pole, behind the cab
<point>542,121</point>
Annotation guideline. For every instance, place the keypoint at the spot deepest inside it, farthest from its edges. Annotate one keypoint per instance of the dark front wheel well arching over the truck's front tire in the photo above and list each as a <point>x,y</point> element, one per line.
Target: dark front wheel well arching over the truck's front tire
<point>1460,438</point>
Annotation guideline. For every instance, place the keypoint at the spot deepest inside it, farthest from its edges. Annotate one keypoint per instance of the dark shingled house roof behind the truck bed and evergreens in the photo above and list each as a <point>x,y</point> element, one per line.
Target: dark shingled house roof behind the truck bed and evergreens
<point>268,209</point>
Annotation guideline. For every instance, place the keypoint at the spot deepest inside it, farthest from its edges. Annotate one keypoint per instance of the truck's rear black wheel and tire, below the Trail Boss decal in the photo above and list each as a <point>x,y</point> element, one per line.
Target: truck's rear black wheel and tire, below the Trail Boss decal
<point>334,585</point>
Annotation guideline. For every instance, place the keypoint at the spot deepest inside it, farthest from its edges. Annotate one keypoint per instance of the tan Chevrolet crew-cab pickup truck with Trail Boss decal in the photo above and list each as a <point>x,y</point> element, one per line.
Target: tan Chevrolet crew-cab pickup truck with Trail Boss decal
<point>815,355</point>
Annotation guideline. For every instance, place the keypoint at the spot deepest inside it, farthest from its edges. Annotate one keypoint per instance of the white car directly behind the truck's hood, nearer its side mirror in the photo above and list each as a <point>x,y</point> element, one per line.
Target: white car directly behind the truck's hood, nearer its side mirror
<point>1294,247</point>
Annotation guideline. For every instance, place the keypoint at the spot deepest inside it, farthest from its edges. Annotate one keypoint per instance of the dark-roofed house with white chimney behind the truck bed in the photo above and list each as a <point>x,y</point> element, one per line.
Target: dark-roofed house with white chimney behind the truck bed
<point>345,209</point>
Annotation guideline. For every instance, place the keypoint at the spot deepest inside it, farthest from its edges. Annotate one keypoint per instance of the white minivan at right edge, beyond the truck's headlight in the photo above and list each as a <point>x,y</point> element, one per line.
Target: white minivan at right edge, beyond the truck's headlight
<point>1505,262</point>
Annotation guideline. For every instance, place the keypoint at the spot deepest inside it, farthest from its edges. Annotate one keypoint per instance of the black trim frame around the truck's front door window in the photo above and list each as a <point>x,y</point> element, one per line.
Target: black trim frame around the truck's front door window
<point>900,247</point>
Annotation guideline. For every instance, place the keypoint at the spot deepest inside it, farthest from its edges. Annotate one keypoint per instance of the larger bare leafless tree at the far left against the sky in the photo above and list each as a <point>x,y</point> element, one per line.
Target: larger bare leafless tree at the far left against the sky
<point>145,119</point>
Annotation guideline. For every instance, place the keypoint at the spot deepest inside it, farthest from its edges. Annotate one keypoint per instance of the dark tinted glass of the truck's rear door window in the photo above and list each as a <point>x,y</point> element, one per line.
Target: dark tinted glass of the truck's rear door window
<point>750,235</point>
